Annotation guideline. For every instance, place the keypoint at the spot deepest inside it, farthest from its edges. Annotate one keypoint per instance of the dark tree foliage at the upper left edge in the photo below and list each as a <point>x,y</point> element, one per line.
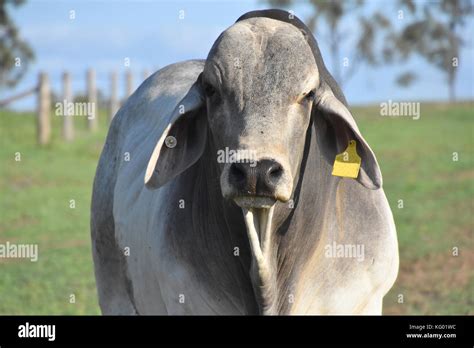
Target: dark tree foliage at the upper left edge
<point>15,53</point>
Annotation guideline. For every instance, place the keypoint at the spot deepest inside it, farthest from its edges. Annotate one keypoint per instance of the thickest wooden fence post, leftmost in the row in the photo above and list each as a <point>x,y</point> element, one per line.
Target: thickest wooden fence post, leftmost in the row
<point>44,109</point>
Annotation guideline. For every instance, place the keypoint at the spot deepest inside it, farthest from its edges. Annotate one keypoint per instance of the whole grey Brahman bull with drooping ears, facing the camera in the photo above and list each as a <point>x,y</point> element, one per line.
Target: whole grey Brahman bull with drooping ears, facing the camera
<point>177,228</point>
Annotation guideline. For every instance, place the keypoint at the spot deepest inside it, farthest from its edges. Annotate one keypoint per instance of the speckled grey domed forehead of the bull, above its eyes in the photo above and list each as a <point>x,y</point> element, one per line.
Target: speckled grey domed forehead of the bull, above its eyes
<point>262,58</point>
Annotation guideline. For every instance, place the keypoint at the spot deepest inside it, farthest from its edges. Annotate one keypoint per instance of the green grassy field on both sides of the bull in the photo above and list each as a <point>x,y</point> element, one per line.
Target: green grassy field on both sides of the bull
<point>45,199</point>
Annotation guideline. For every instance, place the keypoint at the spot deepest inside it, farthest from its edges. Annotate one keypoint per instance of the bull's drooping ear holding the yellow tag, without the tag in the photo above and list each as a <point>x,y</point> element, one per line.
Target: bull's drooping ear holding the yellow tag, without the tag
<point>339,128</point>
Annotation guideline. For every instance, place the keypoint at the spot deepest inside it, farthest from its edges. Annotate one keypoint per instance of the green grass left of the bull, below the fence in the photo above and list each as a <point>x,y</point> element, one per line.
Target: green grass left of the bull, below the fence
<point>35,208</point>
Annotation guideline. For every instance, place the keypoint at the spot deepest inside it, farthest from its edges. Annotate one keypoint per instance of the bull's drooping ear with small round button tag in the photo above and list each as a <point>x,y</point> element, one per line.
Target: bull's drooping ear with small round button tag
<point>182,142</point>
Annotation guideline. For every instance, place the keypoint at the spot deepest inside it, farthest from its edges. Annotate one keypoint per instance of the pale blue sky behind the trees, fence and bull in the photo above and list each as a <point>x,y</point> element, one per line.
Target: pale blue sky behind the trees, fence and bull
<point>152,35</point>
